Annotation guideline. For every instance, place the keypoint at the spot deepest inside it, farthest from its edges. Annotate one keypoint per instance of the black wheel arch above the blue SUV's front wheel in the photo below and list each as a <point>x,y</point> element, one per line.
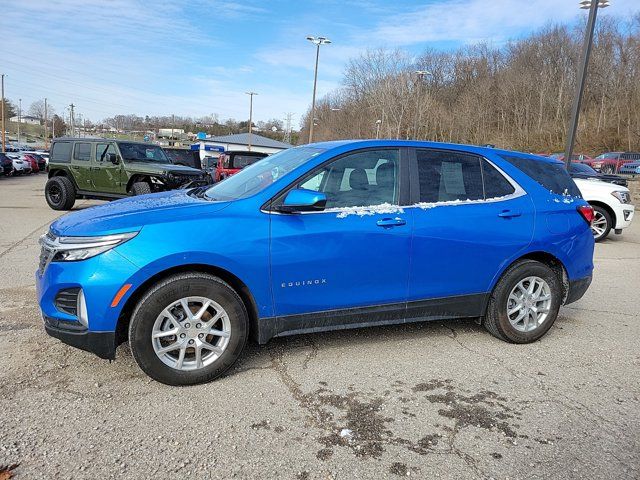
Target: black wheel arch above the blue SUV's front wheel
<point>124,318</point>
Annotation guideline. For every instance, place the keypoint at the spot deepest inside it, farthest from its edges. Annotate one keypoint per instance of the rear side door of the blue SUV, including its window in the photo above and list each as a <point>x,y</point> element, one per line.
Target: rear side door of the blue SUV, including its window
<point>469,220</point>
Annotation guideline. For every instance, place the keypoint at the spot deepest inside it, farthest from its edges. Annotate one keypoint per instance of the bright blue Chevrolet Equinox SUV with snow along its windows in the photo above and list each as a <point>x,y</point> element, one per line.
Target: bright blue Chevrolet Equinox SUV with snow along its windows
<point>325,236</point>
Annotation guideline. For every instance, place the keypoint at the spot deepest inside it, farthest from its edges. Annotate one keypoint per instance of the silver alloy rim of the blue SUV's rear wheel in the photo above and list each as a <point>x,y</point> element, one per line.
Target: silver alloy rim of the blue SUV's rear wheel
<point>529,303</point>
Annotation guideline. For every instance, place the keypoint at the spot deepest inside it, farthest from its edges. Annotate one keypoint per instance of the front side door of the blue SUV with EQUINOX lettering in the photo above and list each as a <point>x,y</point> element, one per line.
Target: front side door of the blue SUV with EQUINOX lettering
<point>355,253</point>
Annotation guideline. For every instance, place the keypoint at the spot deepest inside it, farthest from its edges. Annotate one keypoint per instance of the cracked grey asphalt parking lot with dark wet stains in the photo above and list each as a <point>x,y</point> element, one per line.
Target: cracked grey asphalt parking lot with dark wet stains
<point>424,400</point>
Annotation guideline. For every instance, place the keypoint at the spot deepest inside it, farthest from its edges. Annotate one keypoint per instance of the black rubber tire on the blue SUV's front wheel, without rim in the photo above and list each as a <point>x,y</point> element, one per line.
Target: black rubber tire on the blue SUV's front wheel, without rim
<point>170,290</point>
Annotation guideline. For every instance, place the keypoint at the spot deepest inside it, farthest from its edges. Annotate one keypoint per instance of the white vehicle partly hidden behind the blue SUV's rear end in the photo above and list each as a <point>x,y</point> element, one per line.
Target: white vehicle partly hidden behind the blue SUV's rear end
<point>612,206</point>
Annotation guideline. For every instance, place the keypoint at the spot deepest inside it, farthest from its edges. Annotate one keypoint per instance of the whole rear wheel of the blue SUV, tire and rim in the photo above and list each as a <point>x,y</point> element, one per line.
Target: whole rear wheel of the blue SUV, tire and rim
<point>524,303</point>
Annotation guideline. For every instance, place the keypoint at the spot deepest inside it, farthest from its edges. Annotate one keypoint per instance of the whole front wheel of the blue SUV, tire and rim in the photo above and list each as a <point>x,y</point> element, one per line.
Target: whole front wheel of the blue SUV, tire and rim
<point>188,329</point>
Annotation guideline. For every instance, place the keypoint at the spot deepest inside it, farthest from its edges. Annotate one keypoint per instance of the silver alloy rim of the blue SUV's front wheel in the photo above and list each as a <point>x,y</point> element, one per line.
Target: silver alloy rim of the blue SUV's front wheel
<point>191,333</point>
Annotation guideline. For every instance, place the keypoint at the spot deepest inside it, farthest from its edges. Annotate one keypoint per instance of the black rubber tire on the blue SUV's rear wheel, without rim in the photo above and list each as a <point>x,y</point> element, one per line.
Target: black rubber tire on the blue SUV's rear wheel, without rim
<point>496,320</point>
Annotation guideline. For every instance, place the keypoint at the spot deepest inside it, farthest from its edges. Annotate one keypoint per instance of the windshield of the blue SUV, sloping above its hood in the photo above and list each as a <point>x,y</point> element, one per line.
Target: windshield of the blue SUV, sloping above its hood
<point>260,175</point>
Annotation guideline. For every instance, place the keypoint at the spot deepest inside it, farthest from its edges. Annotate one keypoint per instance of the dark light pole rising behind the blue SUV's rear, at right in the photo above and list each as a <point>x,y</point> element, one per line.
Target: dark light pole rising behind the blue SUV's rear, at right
<point>582,73</point>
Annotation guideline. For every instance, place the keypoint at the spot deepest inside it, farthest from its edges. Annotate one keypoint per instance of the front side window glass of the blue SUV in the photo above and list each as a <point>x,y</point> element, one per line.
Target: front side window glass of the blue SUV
<point>362,179</point>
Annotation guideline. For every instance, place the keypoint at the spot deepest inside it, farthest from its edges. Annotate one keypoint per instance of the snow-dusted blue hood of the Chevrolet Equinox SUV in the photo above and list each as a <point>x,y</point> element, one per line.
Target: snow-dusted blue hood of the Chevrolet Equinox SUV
<point>132,213</point>
